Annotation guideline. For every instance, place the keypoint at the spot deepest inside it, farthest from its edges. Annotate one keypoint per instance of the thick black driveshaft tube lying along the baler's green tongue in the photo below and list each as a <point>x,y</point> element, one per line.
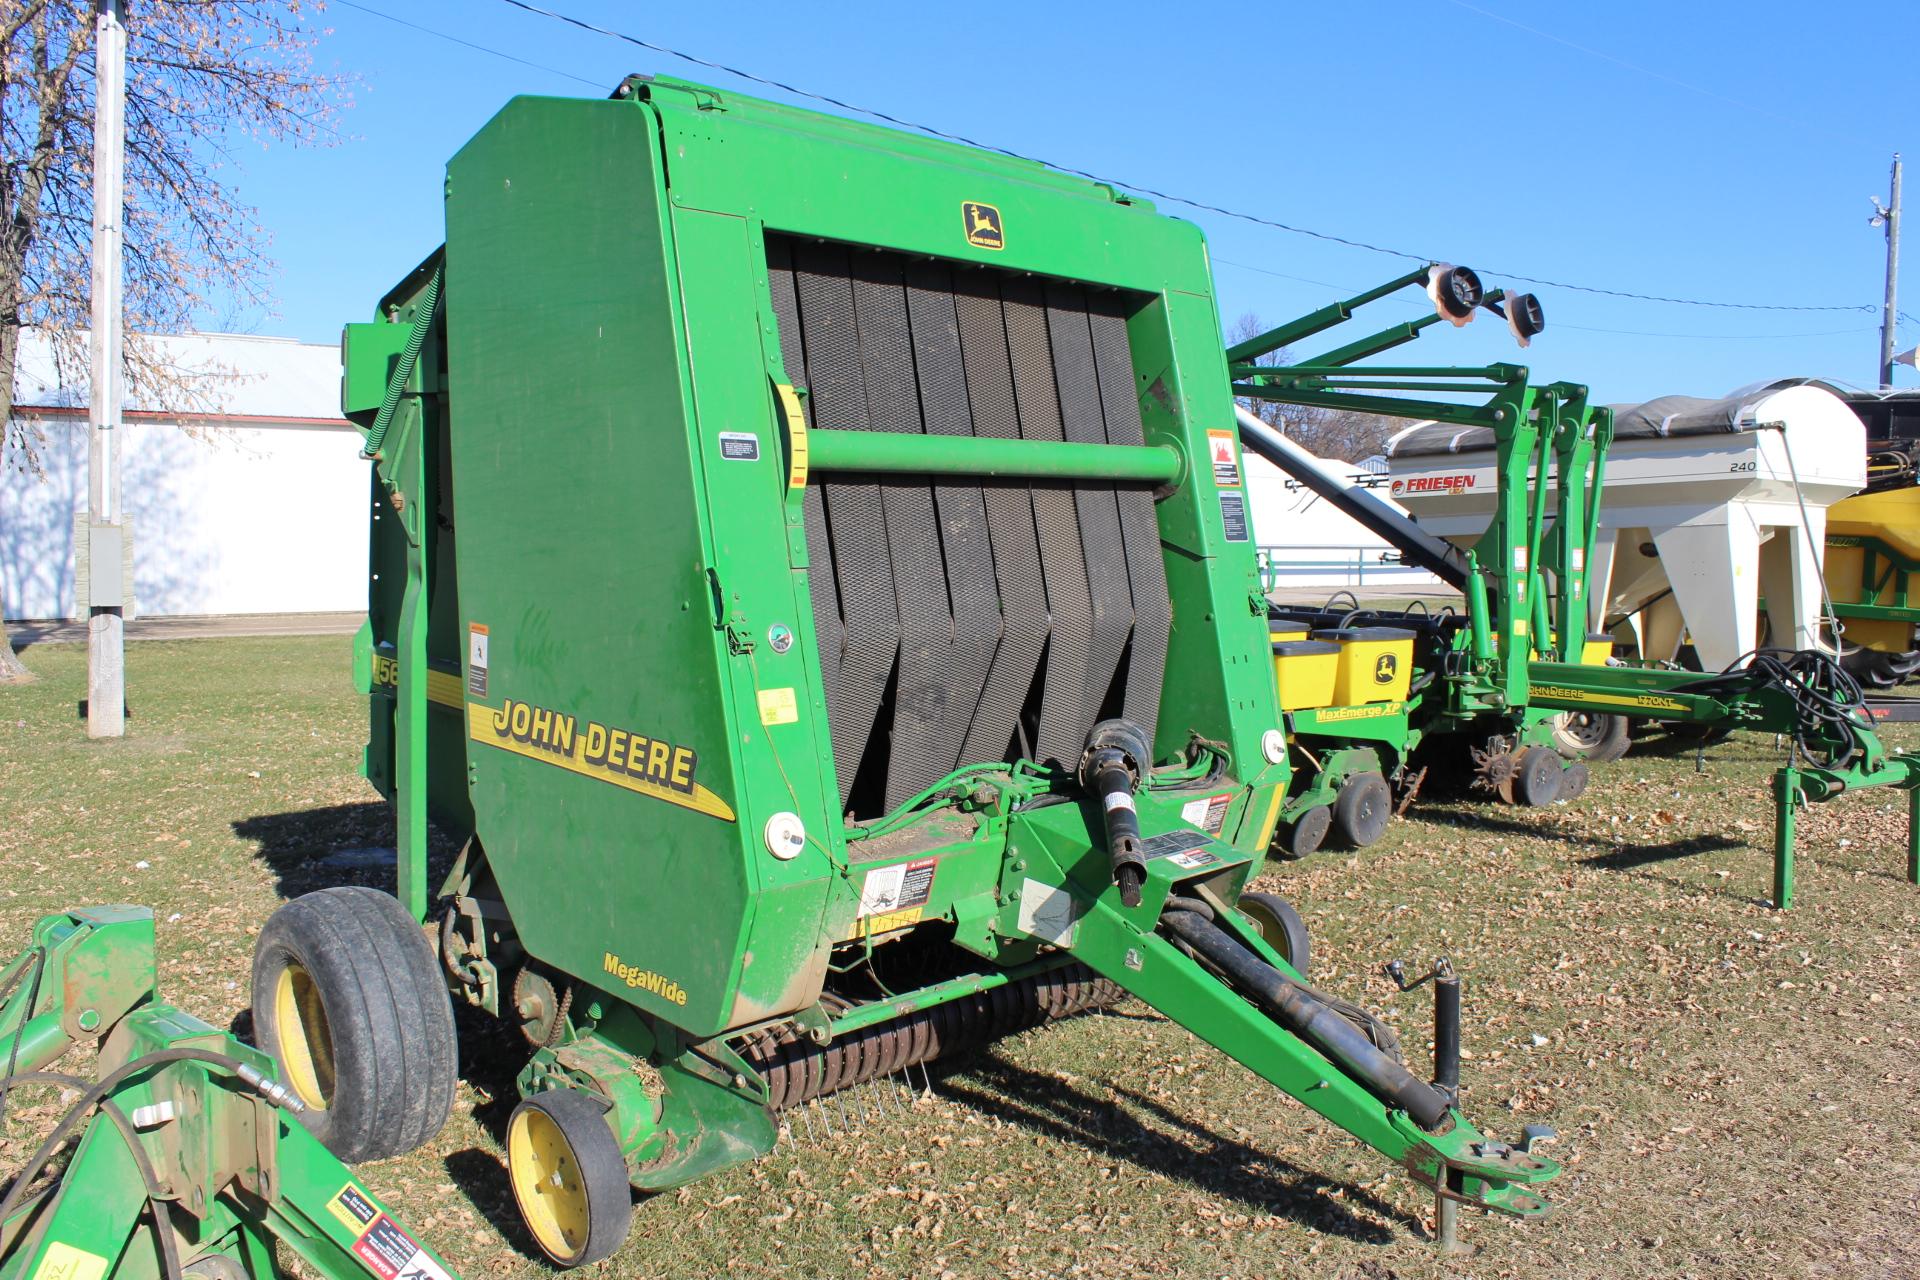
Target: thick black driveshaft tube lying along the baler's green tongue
<point>1314,1022</point>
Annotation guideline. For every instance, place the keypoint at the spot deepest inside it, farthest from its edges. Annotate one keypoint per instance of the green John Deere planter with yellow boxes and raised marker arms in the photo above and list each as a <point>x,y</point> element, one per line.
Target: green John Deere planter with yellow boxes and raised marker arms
<point>1512,680</point>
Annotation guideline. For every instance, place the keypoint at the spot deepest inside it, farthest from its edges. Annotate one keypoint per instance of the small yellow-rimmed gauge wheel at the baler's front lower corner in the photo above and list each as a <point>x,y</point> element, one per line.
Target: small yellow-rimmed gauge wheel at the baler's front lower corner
<point>569,1177</point>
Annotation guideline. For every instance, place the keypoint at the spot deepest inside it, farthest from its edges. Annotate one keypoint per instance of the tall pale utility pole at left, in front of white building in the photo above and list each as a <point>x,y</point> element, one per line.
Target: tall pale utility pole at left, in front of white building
<point>107,671</point>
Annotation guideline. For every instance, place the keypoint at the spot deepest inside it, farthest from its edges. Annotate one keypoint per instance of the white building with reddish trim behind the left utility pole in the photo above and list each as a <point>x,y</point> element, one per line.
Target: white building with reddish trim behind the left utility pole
<point>251,502</point>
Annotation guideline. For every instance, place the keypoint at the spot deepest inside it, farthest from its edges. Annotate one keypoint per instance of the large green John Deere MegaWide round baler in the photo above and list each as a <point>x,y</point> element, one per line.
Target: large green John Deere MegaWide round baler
<point>813,579</point>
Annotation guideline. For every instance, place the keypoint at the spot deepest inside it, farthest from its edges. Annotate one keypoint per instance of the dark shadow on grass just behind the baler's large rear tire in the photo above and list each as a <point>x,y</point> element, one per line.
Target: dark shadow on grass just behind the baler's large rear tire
<point>335,845</point>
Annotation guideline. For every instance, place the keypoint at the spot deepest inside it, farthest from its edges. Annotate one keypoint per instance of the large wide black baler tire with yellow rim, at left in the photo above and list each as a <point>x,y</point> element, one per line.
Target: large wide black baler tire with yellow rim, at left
<point>350,1005</point>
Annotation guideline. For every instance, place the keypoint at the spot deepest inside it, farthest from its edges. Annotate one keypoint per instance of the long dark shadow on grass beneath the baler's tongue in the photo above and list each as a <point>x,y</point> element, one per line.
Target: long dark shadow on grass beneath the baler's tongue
<point>1199,1156</point>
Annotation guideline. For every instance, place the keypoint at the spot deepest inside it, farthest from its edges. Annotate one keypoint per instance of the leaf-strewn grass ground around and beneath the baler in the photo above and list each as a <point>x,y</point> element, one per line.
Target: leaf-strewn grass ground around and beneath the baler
<point>1733,1085</point>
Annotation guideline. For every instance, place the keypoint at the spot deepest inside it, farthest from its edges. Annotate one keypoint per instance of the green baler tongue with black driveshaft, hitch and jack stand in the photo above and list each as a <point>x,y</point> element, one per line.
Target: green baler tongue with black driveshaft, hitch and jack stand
<point>1207,966</point>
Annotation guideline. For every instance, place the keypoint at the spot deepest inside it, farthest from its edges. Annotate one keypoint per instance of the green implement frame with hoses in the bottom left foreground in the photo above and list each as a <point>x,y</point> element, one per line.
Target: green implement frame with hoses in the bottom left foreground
<point>189,1158</point>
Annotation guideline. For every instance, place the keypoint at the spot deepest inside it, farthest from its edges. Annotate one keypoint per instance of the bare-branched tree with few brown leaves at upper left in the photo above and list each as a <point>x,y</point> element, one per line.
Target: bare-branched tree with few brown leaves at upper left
<point>203,80</point>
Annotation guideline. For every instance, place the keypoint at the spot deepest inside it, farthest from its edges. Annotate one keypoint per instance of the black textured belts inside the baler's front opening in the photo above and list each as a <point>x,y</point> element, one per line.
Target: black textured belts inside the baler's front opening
<point>965,623</point>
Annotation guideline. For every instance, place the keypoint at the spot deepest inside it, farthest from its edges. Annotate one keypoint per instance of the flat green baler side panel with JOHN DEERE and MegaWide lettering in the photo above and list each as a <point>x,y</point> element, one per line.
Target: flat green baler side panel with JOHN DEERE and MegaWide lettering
<point>583,556</point>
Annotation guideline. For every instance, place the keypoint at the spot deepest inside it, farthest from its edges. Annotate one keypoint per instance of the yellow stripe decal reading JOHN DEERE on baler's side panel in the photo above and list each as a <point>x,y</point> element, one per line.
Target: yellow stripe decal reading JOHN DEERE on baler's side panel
<point>629,761</point>
